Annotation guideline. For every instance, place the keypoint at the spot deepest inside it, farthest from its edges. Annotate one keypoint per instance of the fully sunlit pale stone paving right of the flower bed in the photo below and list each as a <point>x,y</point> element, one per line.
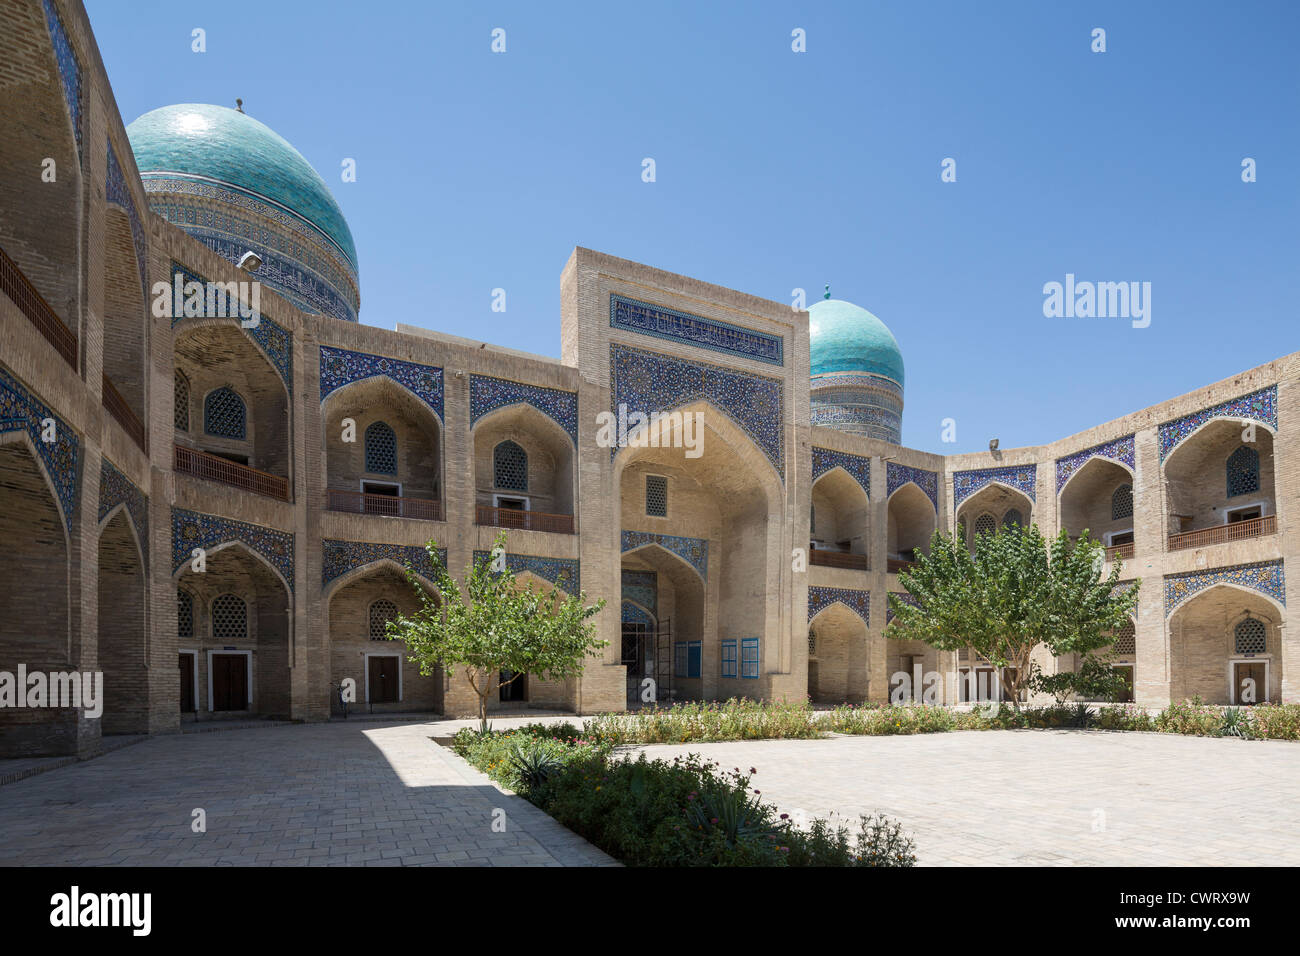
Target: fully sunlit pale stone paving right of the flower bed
<point>1045,798</point>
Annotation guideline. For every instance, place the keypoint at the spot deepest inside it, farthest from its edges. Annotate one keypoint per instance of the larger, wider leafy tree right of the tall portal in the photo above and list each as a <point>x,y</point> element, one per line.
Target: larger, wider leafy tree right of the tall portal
<point>1013,594</point>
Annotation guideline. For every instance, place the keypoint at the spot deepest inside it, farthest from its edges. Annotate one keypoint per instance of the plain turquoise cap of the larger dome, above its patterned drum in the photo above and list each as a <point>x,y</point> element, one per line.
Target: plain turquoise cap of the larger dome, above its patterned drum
<point>231,149</point>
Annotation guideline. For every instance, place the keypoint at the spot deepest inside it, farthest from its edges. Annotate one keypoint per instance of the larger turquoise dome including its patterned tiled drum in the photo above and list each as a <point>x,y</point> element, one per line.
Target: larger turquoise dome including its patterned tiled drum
<point>237,187</point>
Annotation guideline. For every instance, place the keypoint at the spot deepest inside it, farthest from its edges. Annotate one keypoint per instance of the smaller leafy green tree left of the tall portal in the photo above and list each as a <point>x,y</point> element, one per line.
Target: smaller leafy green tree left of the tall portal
<point>496,624</point>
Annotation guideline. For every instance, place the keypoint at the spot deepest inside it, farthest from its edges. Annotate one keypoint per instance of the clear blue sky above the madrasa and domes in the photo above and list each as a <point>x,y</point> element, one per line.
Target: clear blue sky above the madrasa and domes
<point>778,171</point>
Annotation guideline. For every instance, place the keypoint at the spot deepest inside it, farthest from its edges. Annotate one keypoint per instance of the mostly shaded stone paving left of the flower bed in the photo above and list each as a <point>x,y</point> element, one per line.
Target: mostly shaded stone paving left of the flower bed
<point>353,793</point>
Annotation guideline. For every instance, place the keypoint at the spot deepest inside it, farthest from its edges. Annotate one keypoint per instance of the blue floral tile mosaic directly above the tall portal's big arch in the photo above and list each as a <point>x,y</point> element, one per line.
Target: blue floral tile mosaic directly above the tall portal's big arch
<point>648,382</point>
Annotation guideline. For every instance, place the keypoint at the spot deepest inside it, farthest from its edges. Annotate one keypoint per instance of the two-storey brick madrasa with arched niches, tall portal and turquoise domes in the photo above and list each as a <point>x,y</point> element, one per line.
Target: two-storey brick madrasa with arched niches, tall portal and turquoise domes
<point>215,513</point>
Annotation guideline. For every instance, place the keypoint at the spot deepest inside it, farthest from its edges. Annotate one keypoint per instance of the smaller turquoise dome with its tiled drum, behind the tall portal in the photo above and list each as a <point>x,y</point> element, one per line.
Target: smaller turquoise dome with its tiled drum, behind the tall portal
<point>857,373</point>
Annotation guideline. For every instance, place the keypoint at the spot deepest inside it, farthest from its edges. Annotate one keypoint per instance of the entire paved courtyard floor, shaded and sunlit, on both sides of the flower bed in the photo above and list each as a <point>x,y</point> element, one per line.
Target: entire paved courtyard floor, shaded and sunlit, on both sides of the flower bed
<point>369,793</point>
